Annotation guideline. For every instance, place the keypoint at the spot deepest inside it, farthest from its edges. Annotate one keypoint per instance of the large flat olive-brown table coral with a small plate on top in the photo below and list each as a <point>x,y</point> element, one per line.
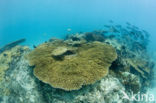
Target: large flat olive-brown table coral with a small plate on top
<point>84,66</point>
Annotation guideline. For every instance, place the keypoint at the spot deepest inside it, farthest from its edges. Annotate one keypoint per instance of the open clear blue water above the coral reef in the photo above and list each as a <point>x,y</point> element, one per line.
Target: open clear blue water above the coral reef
<point>39,20</point>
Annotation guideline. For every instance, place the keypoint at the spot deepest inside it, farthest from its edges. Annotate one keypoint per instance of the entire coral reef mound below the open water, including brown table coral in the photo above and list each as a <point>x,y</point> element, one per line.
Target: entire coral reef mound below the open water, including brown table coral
<point>90,67</point>
